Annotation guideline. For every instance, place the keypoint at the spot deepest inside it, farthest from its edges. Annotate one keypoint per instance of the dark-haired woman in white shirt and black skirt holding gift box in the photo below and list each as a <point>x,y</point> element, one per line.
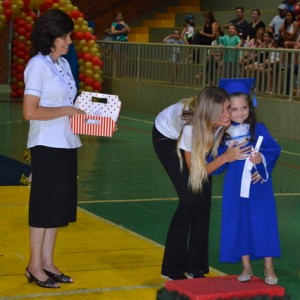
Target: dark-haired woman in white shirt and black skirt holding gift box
<point>50,90</point>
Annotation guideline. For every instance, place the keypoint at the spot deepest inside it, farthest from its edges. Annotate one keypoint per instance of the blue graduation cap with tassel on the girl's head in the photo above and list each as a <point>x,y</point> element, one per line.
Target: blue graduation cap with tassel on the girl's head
<point>239,85</point>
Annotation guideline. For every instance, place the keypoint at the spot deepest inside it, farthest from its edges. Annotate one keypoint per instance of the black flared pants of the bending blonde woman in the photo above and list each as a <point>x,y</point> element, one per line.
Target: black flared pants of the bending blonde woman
<point>186,248</point>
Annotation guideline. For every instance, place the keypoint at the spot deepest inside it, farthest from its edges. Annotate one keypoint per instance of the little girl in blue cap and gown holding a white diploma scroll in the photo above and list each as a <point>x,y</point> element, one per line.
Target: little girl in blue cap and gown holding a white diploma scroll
<point>249,221</point>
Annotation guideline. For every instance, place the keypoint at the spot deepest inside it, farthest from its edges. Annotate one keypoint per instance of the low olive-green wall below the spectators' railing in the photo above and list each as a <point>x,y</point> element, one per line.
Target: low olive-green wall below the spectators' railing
<point>280,116</point>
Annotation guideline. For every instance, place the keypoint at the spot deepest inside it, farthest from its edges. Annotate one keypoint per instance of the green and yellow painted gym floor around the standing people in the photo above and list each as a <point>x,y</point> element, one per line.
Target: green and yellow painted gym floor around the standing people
<point>126,202</point>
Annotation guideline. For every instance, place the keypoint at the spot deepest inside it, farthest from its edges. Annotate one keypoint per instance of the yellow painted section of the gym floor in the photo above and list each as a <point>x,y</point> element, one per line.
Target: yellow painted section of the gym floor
<point>106,260</point>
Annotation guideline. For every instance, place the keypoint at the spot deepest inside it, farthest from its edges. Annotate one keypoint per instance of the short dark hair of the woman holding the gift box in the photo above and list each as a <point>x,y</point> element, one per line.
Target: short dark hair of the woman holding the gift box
<point>51,25</point>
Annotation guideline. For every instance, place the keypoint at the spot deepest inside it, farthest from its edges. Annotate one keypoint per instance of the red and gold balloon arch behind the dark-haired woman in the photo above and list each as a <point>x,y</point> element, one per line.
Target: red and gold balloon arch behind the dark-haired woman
<point>22,14</point>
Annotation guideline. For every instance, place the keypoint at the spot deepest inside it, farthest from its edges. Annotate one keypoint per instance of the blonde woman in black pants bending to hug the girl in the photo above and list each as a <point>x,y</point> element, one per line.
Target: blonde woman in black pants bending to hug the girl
<point>193,128</point>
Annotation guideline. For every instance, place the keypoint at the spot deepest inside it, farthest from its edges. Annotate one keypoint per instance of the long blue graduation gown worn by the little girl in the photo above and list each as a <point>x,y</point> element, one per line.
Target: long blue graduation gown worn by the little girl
<point>249,225</point>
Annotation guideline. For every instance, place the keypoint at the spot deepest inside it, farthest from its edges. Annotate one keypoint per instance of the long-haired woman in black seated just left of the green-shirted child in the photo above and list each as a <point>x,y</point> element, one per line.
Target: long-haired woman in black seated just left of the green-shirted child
<point>207,34</point>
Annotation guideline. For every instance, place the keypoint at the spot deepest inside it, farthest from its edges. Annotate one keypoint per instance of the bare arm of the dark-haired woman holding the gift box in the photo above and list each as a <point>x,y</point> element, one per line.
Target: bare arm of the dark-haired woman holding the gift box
<point>32,110</point>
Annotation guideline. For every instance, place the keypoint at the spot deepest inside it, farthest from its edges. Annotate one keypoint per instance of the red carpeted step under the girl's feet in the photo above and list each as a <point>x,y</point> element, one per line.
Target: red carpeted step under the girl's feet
<point>223,287</point>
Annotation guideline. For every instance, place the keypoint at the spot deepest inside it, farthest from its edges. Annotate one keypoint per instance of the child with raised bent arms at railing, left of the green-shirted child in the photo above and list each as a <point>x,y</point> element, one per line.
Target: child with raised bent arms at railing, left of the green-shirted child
<point>175,38</point>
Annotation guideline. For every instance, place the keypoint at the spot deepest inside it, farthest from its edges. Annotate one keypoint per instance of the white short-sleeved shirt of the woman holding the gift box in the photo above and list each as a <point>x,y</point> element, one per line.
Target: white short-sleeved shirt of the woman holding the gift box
<point>55,85</point>
